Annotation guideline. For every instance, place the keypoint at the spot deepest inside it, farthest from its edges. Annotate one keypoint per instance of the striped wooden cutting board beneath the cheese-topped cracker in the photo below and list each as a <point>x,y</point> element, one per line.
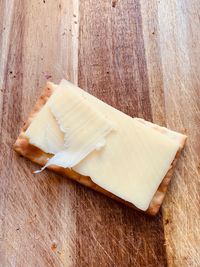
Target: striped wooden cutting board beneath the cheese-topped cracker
<point>143,58</point>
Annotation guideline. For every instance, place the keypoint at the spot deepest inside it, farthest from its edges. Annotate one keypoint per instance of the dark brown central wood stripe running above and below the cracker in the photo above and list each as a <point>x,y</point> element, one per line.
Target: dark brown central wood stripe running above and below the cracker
<point>113,68</point>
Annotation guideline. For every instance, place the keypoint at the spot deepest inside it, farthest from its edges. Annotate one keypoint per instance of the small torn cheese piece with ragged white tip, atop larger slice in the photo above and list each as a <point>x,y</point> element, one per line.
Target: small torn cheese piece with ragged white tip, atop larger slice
<point>85,129</point>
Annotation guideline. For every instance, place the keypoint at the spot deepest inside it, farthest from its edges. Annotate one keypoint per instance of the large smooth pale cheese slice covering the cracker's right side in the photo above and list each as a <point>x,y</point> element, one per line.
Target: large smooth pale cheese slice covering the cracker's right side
<point>134,160</point>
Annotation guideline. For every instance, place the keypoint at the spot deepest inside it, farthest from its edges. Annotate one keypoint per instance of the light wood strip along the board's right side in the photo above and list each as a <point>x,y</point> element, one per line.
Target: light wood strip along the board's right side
<point>172,44</point>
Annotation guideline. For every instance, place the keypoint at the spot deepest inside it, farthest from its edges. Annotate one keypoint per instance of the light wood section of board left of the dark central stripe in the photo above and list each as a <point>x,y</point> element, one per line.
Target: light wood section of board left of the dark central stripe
<point>40,42</point>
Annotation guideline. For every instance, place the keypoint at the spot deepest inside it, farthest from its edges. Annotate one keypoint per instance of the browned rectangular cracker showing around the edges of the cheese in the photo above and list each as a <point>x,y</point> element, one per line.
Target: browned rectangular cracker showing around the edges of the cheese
<point>23,147</point>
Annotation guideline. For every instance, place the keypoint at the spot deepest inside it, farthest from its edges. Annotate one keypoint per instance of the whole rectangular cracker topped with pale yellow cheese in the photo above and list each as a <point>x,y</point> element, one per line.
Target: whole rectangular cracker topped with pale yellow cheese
<point>77,135</point>
